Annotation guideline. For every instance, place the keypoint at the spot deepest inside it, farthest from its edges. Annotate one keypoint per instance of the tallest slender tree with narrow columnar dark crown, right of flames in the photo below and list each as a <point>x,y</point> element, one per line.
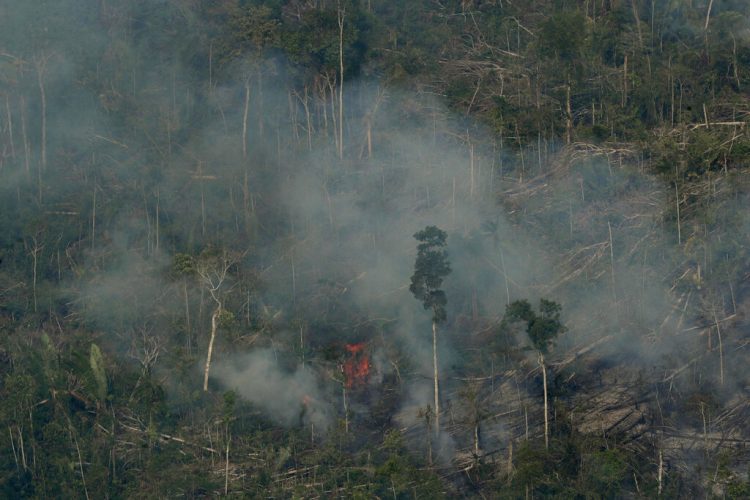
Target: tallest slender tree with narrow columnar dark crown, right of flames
<point>430,267</point>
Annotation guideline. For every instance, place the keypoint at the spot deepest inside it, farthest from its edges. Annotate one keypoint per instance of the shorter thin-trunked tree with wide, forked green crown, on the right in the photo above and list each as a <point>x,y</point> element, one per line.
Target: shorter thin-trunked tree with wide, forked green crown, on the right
<point>542,330</point>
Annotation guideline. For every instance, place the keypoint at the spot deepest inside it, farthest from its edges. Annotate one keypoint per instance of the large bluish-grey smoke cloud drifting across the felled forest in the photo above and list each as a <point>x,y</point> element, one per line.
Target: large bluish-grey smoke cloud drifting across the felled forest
<point>329,240</point>
